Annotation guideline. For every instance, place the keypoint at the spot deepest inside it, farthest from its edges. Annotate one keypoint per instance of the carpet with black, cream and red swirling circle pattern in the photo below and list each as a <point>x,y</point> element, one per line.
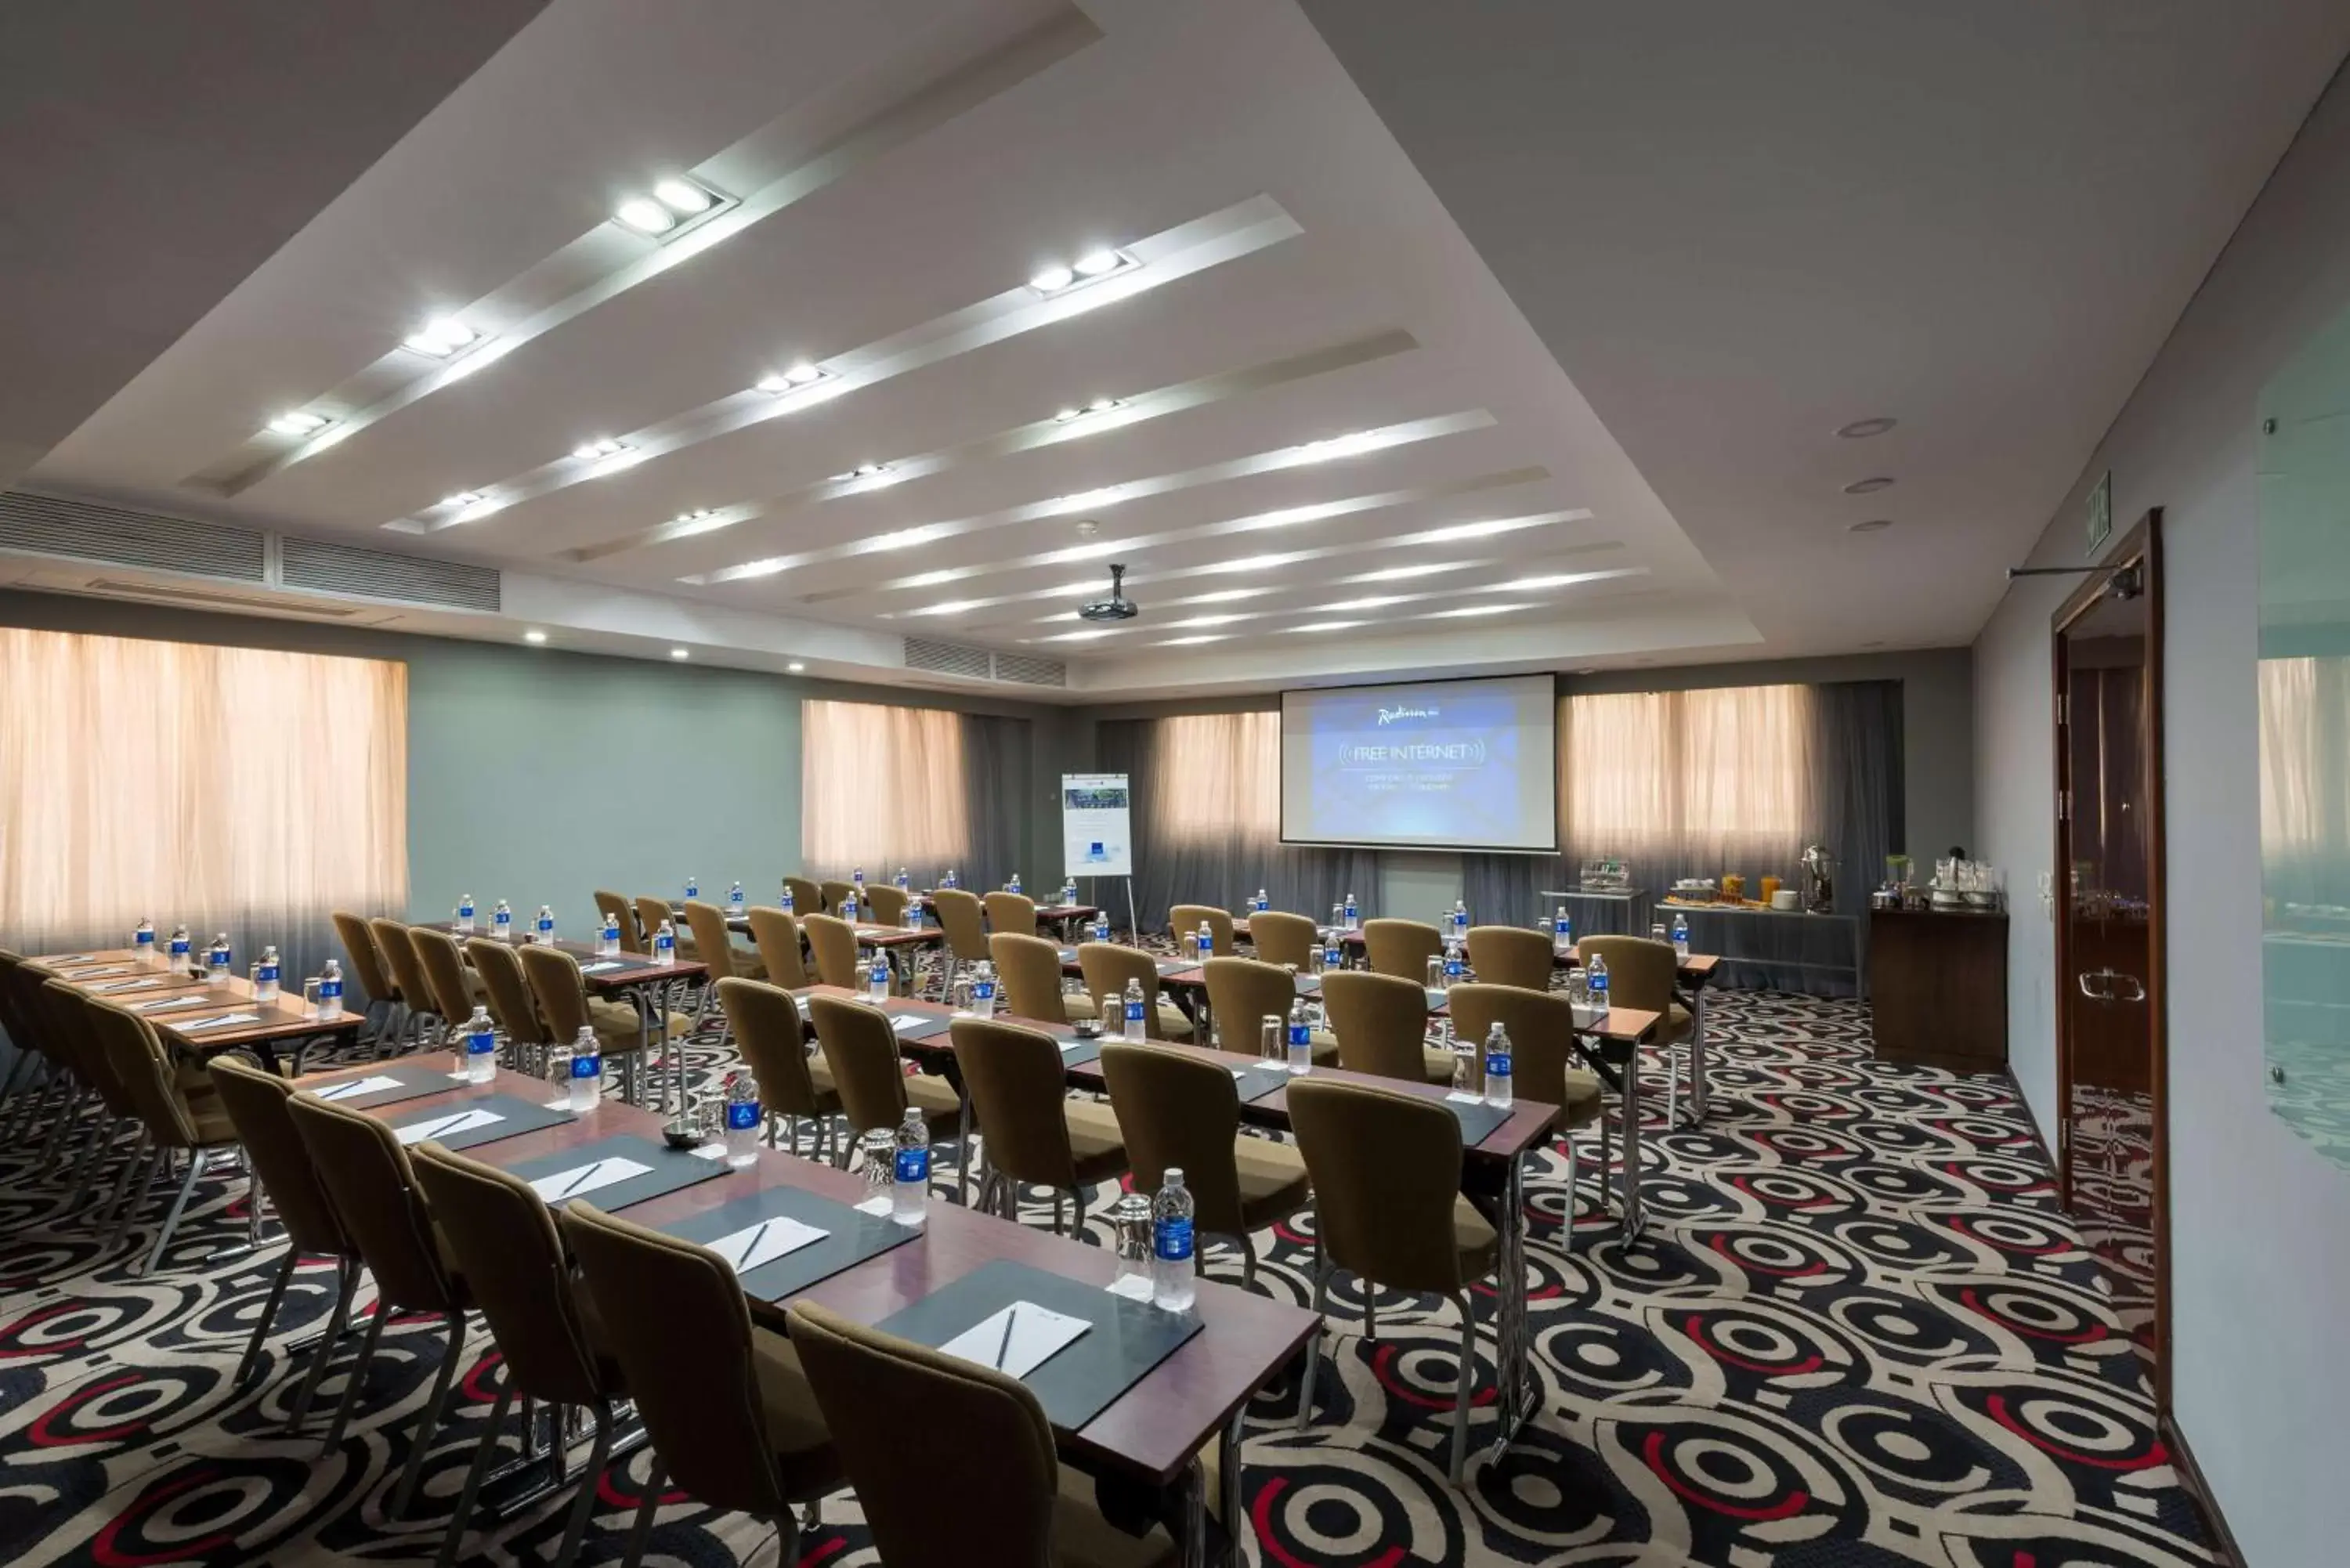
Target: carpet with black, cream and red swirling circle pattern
<point>1858,1334</point>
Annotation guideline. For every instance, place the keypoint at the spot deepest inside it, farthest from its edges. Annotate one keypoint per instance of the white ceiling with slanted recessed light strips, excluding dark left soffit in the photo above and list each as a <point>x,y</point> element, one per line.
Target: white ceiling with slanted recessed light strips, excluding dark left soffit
<point>1308,417</point>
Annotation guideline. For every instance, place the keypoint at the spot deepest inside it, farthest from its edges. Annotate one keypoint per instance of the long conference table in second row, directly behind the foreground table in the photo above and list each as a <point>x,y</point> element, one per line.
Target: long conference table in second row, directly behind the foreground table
<point>1493,1167</point>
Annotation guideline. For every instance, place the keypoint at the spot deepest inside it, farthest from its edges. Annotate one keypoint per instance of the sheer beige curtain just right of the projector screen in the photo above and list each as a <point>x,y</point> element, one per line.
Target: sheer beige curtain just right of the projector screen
<point>1726,779</point>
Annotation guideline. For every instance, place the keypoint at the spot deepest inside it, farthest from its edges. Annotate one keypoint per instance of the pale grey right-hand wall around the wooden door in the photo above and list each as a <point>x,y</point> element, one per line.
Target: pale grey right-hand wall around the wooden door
<point>2260,1221</point>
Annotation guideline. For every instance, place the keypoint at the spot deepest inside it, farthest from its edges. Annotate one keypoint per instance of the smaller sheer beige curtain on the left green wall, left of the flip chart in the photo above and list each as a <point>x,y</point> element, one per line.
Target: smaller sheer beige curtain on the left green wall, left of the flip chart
<point>882,786</point>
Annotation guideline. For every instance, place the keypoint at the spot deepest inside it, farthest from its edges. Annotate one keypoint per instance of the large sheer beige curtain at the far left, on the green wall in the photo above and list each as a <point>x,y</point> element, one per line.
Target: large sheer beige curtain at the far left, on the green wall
<point>236,791</point>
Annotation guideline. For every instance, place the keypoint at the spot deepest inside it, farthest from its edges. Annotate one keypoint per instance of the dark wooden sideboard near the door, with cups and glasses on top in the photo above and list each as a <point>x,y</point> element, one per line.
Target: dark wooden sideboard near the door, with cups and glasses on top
<point>1938,989</point>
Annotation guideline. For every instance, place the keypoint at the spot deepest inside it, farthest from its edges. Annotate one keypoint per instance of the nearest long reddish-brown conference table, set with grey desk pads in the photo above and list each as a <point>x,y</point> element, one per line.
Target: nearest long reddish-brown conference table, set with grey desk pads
<point>1153,1433</point>
